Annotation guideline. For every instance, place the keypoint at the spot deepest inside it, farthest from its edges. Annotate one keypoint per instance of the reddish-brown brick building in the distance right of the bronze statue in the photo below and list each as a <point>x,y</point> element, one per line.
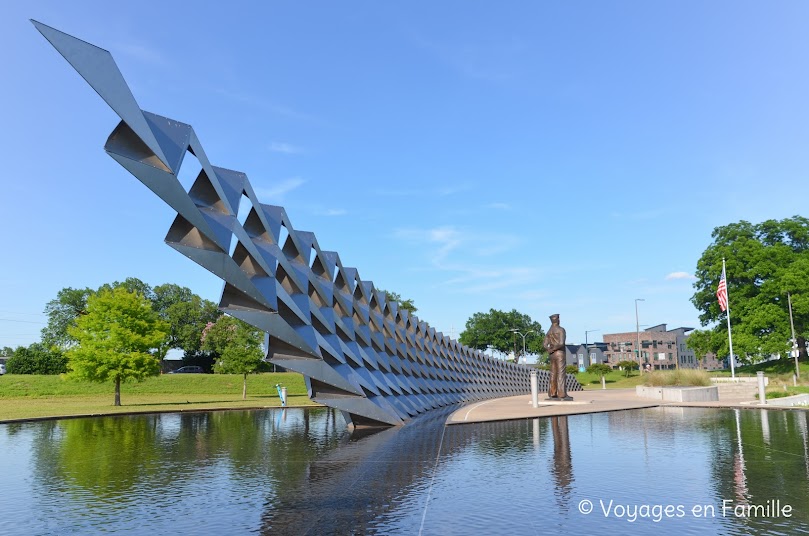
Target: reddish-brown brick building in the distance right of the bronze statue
<point>660,348</point>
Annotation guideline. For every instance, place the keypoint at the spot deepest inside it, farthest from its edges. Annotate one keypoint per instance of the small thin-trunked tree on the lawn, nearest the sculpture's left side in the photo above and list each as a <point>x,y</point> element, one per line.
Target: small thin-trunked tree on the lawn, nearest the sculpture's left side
<point>238,346</point>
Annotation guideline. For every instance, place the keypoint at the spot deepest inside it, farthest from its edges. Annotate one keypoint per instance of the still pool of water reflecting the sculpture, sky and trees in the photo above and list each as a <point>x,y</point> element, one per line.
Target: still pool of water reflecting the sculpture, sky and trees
<point>300,472</point>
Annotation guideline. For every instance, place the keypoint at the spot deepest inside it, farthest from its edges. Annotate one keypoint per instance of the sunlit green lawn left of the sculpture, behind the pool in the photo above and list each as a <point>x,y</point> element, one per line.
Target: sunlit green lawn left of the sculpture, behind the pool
<point>30,396</point>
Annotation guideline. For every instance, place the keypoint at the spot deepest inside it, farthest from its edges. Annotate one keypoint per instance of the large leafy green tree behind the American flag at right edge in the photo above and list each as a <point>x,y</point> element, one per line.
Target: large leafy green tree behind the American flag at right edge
<point>764,263</point>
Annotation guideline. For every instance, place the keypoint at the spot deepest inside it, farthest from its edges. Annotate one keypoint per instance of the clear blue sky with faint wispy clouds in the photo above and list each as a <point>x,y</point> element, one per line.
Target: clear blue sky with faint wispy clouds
<point>553,157</point>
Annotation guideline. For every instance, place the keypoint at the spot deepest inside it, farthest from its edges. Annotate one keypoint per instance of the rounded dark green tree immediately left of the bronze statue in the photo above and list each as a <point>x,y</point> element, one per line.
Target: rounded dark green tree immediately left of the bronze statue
<point>494,328</point>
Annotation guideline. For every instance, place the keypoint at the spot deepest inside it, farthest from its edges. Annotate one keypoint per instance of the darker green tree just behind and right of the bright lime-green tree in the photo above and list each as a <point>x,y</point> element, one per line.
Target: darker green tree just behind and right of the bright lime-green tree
<point>186,315</point>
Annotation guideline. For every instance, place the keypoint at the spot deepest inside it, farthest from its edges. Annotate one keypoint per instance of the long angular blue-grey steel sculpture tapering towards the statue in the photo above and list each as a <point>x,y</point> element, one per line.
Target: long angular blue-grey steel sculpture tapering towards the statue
<point>359,352</point>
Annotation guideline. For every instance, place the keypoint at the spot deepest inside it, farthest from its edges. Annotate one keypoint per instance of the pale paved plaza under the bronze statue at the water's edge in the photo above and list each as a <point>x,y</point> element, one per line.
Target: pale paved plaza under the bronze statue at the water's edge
<point>591,401</point>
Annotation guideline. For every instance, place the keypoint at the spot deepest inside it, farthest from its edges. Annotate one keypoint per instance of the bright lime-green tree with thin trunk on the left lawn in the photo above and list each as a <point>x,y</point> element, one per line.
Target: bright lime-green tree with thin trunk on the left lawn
<point>114,339</point>
